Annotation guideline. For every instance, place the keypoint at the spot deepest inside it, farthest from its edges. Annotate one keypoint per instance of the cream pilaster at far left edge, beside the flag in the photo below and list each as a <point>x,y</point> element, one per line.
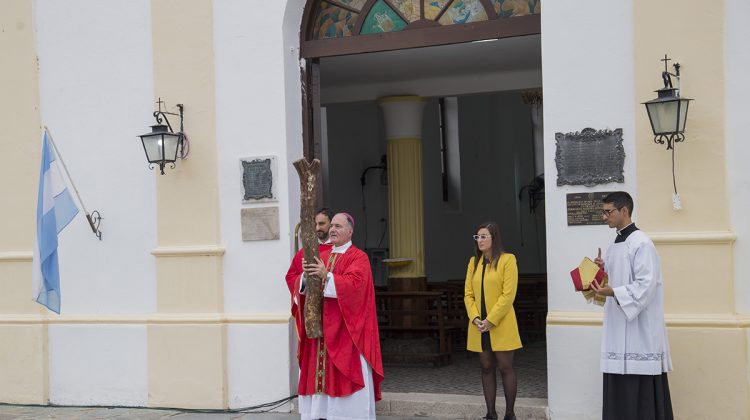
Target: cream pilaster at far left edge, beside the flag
<point>23,358</point>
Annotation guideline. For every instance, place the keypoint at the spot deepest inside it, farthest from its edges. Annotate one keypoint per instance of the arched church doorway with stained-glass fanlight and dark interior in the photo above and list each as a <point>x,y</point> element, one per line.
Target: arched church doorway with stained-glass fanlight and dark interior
<point>481,160</point>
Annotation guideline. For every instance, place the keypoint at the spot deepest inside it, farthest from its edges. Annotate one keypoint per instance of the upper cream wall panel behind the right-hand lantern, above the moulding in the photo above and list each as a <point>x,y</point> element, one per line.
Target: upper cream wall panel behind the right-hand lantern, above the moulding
<point>693,36</point>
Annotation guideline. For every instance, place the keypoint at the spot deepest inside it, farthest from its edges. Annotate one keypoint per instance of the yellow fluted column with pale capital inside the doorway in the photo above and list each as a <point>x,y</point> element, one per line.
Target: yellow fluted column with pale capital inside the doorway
<point>403,126</point>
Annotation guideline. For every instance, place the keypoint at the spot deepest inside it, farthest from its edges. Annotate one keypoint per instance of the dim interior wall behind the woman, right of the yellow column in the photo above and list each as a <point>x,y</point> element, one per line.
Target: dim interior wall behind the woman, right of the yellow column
<point>497,160</point>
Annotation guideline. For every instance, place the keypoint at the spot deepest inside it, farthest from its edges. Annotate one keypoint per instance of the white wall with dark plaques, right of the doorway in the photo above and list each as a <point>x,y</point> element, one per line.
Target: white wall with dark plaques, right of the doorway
<point>588,82</point>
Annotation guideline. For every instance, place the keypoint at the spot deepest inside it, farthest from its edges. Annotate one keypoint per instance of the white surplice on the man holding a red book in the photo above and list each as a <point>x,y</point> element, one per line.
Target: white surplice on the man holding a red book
<point>634,337</point>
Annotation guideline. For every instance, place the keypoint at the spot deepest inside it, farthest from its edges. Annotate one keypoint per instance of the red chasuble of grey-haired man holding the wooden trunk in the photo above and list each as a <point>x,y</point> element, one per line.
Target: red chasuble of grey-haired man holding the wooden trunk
<point>331,365</point>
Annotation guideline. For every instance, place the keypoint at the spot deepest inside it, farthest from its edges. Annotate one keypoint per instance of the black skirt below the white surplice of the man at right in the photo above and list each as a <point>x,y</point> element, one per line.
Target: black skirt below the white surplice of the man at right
<point>636,397</point>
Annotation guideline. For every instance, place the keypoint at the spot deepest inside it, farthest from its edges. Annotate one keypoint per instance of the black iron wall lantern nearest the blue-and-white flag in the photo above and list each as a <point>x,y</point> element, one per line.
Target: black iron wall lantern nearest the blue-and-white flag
<point>162,144</point>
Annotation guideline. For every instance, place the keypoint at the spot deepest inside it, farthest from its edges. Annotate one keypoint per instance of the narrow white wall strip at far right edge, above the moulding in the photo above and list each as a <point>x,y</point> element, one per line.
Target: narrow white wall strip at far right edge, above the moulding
<point>736,61</point>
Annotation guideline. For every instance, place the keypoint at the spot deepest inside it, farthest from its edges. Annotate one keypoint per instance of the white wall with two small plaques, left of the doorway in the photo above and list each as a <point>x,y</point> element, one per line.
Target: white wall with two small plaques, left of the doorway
<point>251,96</point>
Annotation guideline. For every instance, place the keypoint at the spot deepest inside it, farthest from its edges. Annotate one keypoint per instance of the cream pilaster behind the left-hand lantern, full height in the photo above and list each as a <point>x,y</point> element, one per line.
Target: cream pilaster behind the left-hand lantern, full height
<point>187,353</point>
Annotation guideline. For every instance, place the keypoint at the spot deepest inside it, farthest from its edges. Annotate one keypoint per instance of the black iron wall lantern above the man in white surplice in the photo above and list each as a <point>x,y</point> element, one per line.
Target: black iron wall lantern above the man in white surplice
<point>668,112</point>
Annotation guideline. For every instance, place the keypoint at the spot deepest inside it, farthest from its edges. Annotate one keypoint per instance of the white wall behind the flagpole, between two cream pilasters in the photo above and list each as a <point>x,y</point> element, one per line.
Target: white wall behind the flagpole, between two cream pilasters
<point>96,89</point>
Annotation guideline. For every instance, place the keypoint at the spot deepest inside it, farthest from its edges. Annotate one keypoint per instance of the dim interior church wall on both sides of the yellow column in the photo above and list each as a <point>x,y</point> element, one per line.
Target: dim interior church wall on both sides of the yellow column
<point>496,161</point>
